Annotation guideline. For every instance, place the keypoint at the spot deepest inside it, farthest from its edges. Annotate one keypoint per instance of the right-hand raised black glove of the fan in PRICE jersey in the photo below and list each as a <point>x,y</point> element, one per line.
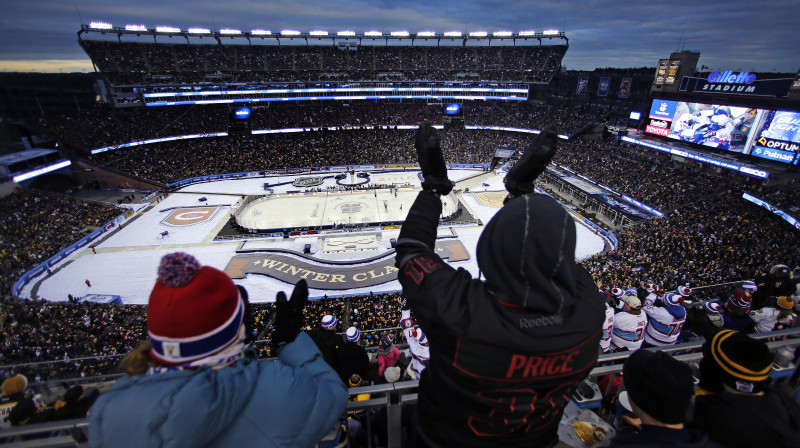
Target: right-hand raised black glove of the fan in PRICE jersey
<point>537,156</point>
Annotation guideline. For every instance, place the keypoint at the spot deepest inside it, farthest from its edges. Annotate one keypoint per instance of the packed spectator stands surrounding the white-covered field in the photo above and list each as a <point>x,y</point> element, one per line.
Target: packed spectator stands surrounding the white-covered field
<point>708,238</point>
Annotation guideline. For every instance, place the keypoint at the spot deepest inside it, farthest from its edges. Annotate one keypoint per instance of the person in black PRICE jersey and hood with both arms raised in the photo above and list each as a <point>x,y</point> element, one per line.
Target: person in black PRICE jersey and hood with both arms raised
<point>505,354</point>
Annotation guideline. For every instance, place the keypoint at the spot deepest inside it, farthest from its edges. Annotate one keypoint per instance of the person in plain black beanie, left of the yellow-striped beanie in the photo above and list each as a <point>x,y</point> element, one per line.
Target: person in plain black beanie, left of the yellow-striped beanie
<point>659,390</point>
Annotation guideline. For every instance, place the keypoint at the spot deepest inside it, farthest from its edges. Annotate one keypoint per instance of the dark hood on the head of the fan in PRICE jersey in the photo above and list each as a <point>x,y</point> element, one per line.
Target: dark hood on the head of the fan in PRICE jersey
<point>527,254</point>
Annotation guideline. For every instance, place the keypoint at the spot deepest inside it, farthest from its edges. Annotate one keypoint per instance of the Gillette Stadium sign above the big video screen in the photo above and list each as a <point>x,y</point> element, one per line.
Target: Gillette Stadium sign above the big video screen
<point>737,83</point>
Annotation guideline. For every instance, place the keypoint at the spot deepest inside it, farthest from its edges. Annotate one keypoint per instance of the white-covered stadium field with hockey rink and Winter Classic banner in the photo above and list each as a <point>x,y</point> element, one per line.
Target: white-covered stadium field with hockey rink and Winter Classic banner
<point>126,259</point>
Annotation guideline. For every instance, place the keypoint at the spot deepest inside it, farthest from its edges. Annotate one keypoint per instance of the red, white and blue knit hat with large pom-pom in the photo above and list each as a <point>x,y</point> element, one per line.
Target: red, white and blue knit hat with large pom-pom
<point>194,311</point>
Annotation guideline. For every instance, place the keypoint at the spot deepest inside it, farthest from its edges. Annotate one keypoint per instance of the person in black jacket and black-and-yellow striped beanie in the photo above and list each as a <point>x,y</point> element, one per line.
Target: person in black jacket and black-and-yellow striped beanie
<point>733,403</point>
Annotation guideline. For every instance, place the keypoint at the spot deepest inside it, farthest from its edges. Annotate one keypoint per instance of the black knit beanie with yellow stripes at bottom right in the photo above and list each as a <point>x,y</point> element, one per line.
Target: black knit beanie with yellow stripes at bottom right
<point>741,362</point>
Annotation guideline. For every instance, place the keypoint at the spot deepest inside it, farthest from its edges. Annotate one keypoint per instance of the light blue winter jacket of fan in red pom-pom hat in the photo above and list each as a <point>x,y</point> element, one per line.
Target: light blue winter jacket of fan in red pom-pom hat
<point>289,402</point>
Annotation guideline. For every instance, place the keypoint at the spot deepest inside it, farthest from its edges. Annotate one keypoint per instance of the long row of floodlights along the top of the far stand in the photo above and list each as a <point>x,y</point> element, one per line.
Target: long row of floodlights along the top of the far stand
<point>229,33</point>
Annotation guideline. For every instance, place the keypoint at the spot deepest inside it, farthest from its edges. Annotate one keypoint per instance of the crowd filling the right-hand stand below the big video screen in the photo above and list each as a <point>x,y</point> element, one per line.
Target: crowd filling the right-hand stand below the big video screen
<point>709,233</point>
